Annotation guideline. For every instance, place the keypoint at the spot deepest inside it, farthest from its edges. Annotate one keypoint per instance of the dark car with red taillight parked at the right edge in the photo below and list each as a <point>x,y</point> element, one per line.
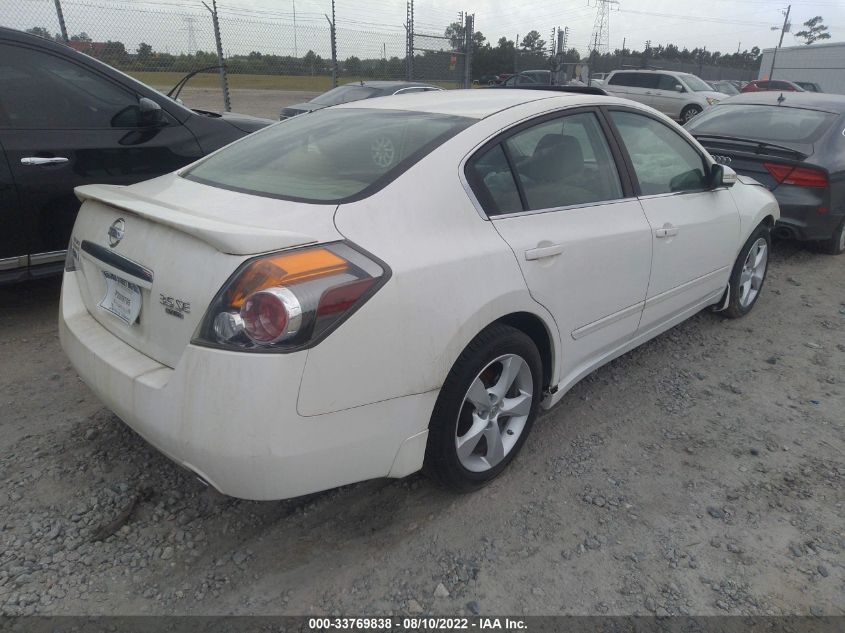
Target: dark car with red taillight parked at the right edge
<point>791,142</point>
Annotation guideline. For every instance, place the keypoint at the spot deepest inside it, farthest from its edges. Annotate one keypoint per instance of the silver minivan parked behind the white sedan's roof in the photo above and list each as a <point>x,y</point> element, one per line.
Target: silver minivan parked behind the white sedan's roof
<point>680,96</point>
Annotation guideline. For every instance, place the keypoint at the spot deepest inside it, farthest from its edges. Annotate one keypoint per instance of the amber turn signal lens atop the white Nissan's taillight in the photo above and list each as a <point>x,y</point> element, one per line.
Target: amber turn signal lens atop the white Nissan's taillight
<point>284,270</point>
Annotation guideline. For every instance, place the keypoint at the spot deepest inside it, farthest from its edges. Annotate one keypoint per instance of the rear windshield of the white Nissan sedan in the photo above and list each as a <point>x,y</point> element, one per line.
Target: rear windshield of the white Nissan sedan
<point>332,155</point>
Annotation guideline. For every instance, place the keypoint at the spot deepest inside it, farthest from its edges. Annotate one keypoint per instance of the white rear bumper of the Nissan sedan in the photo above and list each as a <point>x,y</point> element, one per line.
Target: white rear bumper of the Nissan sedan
<point>231,417</point>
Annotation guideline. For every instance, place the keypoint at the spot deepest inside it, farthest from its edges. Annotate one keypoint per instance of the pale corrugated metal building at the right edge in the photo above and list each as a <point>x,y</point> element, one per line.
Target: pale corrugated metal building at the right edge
<point>823,64</point>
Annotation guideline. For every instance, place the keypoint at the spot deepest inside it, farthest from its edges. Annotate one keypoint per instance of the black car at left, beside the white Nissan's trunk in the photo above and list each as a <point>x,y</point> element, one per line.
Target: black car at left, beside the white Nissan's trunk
<point>67,119</point>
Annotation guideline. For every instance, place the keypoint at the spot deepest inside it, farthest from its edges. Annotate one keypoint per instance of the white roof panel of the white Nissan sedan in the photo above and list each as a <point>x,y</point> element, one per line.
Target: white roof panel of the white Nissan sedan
<point>476,104</point>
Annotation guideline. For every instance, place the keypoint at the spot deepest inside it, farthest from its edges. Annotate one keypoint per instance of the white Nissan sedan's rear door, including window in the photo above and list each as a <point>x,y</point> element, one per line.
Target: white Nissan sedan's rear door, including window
<point>554,193</point>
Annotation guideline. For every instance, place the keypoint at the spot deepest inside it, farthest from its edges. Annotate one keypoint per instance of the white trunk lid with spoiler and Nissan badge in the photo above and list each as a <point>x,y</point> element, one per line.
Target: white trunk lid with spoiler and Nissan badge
<point>154,255</point>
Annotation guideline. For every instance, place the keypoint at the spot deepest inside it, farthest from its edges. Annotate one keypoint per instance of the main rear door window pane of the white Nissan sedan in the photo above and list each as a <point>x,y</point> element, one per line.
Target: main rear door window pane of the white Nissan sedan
<point>563,162</point>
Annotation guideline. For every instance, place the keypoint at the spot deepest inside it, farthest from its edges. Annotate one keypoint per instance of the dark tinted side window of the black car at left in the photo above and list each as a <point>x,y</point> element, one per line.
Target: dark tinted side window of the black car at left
<point>78,98</point>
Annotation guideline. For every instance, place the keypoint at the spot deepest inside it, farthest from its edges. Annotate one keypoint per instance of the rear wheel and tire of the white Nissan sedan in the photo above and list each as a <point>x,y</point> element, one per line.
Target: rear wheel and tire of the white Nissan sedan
<point>477,411</point>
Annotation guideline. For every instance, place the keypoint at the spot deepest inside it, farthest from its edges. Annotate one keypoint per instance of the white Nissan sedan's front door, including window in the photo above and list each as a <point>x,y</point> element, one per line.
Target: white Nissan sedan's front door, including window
<point>695,229</point>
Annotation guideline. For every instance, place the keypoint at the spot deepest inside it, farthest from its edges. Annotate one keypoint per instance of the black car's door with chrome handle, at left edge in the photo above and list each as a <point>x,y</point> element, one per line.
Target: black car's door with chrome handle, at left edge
<point>63,124</point>
